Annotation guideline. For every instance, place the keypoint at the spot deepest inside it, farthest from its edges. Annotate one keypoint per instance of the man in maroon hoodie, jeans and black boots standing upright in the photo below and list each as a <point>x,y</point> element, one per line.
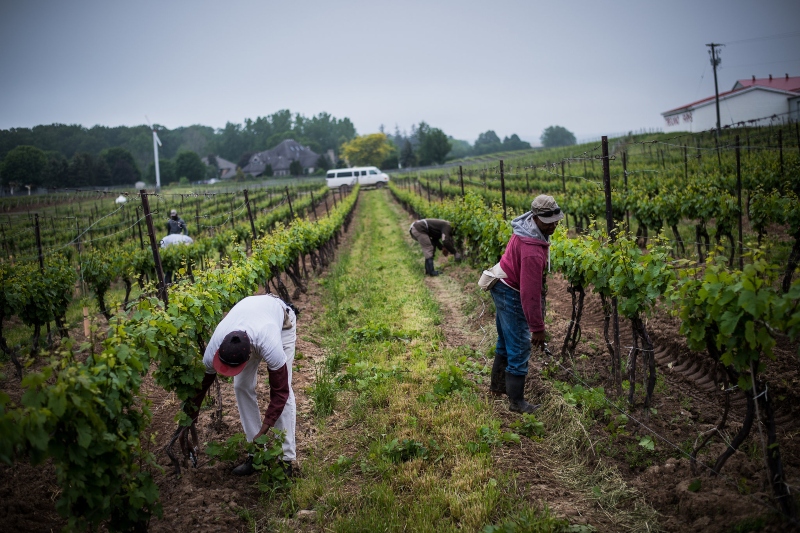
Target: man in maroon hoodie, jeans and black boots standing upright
<point>520,299</point>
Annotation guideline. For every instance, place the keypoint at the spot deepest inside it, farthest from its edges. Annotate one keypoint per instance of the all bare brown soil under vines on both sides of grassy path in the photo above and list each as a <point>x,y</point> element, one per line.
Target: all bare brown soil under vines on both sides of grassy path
<point>687,402</point>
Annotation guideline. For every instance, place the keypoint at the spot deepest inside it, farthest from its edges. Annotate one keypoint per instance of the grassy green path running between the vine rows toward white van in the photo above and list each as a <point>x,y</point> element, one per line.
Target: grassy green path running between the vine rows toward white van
<point>403,438</point>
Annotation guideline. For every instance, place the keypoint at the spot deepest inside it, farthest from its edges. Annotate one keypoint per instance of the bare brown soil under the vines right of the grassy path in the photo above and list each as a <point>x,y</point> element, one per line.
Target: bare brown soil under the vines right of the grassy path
<point>687,403</point>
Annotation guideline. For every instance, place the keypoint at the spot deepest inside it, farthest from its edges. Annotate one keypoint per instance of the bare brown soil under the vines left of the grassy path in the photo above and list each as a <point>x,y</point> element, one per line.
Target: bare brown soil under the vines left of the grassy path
<point>207,498</point>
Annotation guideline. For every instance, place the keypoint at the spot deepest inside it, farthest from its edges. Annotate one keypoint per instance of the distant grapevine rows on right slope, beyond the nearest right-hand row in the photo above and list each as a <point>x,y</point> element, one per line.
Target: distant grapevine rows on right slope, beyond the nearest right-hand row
<point>675,192</point>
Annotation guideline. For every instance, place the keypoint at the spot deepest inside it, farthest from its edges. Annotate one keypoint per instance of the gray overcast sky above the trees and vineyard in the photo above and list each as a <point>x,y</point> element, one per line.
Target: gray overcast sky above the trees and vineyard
<point>462,66</point>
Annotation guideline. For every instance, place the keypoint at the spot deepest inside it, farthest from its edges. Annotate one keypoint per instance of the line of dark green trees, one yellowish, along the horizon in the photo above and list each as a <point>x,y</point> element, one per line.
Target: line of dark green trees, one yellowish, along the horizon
<point>64,156</point>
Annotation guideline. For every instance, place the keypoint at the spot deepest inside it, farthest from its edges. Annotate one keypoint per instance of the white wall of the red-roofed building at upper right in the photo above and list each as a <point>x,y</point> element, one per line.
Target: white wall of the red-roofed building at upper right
<point>747,105</point>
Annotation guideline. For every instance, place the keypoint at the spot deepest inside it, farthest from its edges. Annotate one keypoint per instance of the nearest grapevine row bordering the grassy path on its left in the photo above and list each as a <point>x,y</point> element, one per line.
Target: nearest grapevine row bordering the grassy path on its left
<point>87,415</point>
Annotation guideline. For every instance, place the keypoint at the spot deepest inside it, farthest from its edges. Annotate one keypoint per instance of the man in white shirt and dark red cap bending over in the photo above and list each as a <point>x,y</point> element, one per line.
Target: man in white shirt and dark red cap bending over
<point>257,328</point>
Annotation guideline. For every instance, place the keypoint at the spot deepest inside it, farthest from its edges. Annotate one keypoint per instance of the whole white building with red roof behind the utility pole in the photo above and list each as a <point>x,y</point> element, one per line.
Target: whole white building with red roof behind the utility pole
<point>753,102</point>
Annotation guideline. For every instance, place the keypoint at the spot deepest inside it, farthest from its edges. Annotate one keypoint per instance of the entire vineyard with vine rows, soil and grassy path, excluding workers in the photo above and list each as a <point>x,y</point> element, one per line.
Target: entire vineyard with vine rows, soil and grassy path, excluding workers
<point>668,390</point>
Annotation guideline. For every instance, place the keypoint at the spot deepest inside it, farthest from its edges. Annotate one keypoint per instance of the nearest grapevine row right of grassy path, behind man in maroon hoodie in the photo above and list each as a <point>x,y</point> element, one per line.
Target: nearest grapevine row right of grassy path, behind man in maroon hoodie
<point>736,316</point>
